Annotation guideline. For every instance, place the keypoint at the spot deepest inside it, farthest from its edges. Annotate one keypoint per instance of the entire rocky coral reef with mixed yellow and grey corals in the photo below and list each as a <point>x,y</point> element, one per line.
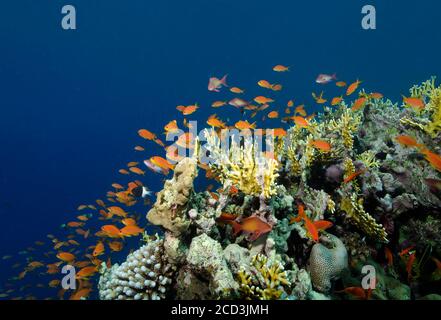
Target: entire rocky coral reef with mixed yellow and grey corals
<point>335,193</point>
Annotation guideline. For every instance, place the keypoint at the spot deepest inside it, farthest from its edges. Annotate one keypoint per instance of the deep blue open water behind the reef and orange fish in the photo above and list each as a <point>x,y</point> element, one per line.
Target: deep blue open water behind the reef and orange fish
<point>72,101</point>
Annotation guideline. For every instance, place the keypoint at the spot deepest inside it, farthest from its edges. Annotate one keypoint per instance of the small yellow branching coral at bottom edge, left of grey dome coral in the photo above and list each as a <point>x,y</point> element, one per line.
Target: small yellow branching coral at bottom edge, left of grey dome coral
<point>265,280</point>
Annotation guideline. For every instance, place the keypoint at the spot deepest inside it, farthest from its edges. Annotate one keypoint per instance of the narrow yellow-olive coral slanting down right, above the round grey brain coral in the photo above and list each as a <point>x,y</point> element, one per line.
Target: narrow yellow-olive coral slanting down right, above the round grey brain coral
<point>354,210</point>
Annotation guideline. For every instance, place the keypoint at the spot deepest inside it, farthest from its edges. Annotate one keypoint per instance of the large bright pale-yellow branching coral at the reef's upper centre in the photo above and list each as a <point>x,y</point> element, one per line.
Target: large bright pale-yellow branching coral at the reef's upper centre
<point>241,166</point>
